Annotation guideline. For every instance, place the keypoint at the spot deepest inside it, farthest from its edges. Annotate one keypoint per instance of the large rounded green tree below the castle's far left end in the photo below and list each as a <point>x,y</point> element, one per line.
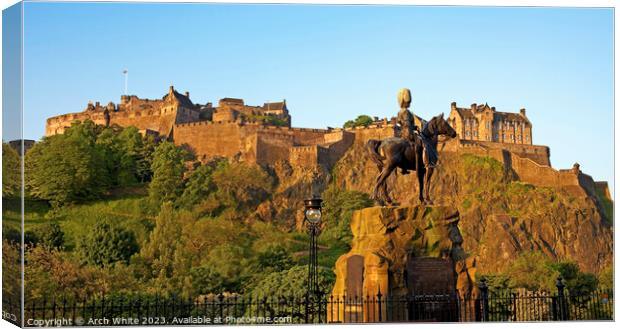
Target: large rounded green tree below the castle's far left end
<point>67,168</point>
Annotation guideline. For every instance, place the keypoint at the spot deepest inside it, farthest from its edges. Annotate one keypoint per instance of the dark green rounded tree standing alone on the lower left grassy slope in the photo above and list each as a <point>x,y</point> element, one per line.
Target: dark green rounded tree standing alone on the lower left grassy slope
<point>107,244</point>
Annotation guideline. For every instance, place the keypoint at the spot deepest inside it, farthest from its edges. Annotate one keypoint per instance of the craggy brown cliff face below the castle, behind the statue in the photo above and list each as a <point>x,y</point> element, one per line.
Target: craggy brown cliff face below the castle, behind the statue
<point>499,215</point>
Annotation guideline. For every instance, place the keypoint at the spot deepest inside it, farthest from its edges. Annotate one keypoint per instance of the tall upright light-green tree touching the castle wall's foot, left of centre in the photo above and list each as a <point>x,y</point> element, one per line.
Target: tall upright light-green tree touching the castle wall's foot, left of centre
<point>168,167</point>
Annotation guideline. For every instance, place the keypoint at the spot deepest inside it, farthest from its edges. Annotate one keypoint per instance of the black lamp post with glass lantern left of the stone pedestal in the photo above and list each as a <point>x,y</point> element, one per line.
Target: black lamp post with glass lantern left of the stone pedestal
<point>312,217</point>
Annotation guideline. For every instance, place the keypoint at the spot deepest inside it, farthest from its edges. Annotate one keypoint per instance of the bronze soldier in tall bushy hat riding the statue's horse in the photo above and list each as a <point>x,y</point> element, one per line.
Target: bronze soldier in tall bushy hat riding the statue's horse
<point>409,131</point>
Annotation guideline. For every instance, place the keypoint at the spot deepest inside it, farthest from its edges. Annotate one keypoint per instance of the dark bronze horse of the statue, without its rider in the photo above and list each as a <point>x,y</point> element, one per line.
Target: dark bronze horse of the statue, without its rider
<point>395,152</point>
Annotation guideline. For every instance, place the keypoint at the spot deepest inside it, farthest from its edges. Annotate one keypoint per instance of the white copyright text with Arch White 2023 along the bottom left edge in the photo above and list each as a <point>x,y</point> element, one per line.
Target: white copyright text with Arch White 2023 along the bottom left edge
<point>140,321</point>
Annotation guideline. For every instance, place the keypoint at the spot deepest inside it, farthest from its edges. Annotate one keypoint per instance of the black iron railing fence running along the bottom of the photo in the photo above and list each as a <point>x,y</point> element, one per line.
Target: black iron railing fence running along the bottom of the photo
<point>236,309</point>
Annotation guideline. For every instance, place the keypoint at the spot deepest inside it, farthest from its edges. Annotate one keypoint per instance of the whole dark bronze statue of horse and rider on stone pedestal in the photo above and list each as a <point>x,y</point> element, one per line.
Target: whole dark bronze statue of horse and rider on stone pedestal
<point>415,149</point>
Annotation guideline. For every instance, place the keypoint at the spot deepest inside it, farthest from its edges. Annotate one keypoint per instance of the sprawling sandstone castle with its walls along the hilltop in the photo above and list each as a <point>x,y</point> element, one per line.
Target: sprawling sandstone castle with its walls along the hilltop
<point>263,134</point>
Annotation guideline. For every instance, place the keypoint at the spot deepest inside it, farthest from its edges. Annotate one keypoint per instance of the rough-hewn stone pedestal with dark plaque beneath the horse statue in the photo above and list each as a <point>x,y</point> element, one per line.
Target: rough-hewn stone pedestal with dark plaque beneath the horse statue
<point>399,252</point>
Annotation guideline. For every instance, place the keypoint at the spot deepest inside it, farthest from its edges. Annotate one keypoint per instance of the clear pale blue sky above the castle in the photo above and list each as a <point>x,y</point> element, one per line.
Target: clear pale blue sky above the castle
<point>332,63</point>
